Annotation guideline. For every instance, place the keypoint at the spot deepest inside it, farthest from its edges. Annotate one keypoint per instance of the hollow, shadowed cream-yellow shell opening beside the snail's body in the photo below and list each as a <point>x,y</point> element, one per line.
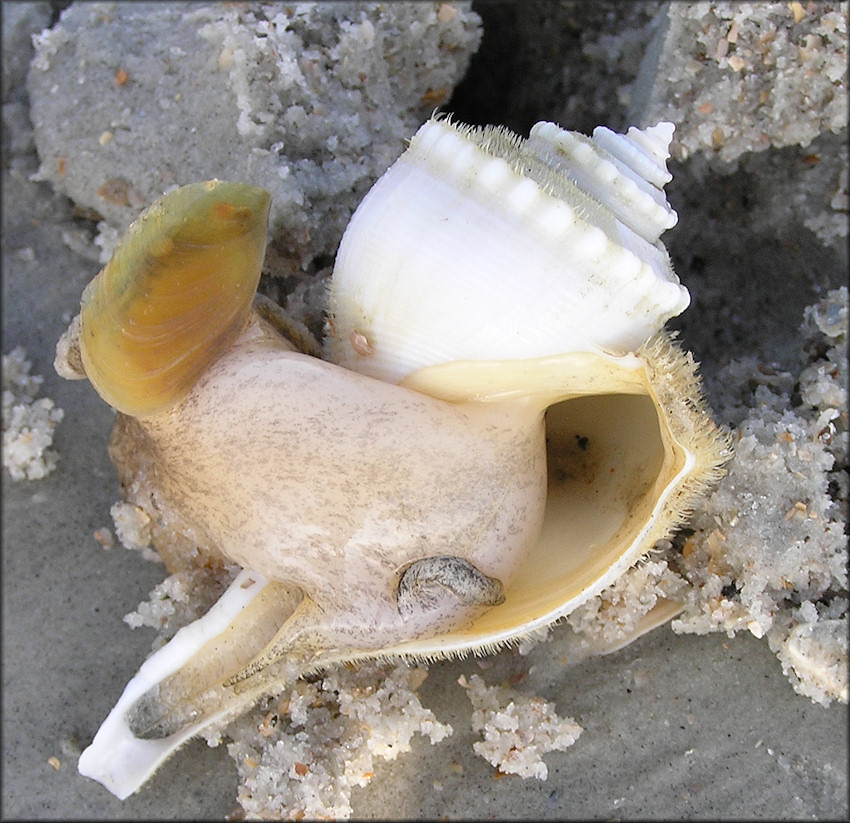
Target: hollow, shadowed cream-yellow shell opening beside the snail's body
<point>608,465</point>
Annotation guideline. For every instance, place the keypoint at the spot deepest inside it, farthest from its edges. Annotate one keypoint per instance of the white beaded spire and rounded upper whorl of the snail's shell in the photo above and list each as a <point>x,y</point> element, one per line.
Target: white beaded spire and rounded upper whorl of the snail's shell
<point>479,245</point>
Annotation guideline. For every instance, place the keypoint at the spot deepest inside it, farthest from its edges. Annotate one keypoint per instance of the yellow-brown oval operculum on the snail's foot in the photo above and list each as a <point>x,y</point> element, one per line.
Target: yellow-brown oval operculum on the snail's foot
<point>175,294</point>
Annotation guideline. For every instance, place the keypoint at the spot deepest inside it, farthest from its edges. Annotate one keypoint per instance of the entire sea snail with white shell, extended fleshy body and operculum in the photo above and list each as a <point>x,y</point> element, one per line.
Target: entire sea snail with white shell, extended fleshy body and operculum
<point>499,429</point>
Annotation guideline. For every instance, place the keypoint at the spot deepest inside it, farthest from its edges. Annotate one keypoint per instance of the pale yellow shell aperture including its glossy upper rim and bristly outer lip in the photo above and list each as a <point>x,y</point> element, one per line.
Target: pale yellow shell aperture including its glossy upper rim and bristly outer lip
<point>629,449</point>
